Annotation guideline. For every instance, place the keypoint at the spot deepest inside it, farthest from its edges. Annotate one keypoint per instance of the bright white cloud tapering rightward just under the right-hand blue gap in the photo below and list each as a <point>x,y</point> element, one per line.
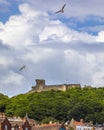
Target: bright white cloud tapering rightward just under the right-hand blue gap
<point>56,30</point>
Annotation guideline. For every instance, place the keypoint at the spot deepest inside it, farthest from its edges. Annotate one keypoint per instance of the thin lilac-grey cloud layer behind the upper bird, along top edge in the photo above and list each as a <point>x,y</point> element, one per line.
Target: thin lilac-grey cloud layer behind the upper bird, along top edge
<point>78,8</point>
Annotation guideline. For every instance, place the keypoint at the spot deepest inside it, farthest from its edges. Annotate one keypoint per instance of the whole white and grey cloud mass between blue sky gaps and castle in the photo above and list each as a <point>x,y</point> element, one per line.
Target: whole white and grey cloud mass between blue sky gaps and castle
<point>49,49</point>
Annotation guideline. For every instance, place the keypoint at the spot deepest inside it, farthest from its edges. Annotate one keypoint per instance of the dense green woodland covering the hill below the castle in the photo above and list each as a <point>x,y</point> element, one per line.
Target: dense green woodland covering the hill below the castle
<point>77,103</point>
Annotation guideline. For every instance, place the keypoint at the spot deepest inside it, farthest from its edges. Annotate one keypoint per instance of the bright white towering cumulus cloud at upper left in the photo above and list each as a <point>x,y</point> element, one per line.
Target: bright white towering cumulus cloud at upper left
<point>22,29</point>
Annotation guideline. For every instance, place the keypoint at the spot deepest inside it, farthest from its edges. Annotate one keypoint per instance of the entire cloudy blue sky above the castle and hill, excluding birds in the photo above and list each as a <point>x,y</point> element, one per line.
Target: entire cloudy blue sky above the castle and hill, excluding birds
<point>61,48</point>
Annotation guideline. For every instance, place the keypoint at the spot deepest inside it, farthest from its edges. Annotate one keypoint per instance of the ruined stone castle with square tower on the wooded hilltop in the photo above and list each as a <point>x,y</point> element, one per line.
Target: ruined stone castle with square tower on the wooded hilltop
<point>41,86</point>
